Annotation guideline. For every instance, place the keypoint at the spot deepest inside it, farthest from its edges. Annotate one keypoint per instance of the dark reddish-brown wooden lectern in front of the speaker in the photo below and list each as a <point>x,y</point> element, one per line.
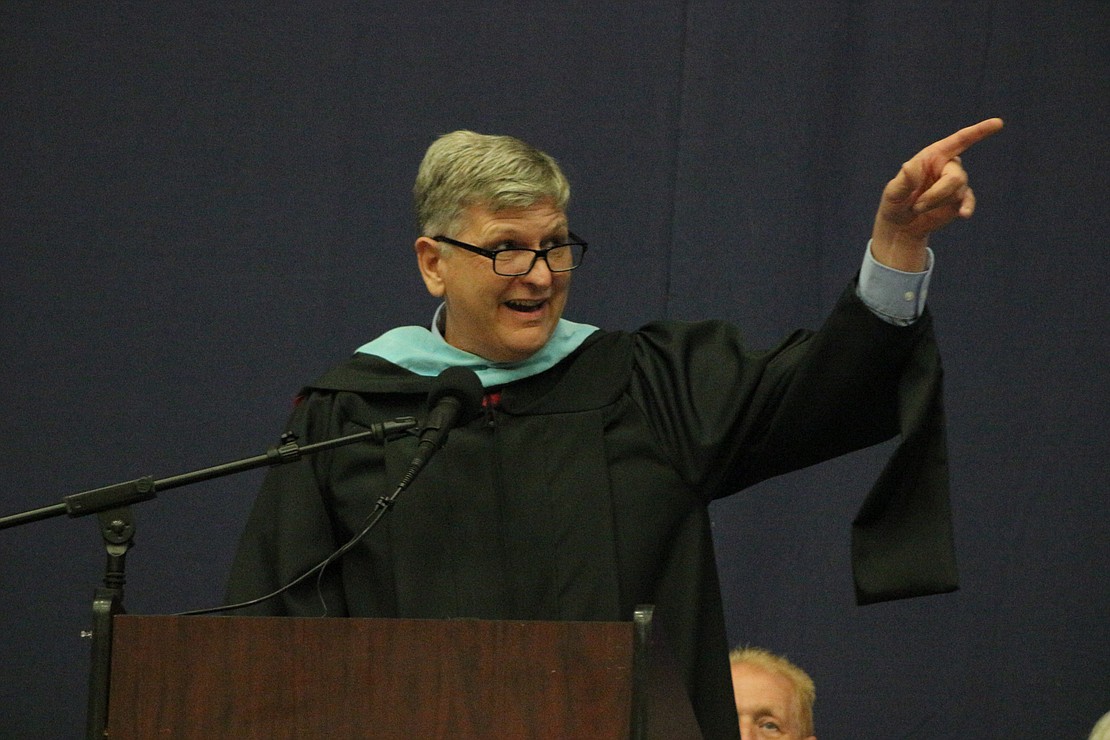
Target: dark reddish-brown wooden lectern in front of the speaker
<point>285,677</point>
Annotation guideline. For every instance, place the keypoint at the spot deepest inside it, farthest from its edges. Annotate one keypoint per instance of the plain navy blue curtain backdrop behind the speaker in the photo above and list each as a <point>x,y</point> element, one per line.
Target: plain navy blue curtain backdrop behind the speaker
<point>205,204</point>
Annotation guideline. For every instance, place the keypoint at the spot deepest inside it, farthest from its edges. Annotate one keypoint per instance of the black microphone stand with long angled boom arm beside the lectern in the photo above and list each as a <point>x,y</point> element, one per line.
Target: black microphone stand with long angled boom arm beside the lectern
<point>113,508</point>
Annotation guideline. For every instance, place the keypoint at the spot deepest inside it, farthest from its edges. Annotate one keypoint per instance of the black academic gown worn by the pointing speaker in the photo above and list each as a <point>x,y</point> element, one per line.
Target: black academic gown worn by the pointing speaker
<point>584,493</point>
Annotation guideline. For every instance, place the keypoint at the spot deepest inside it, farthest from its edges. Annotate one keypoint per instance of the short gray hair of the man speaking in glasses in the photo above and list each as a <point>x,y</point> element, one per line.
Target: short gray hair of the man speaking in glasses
<point>465,169</point>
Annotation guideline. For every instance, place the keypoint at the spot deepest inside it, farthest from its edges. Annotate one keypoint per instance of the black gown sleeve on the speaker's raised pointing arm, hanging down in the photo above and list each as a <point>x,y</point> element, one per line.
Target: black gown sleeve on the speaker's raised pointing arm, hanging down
<point>732,418</point>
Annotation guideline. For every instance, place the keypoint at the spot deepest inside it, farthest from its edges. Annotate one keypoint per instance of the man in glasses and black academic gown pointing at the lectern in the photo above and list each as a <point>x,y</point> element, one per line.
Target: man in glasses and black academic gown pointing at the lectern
<point>582,489</point>
